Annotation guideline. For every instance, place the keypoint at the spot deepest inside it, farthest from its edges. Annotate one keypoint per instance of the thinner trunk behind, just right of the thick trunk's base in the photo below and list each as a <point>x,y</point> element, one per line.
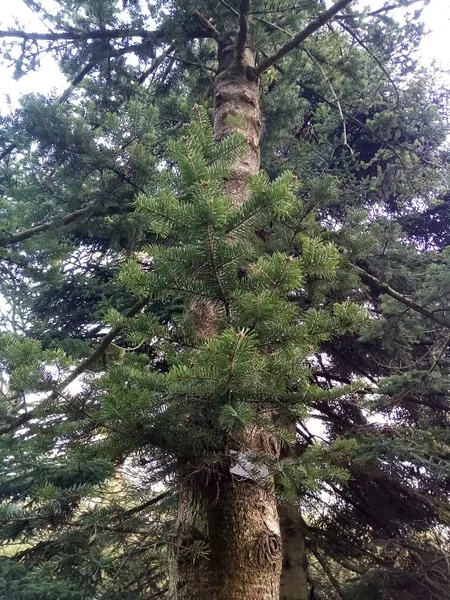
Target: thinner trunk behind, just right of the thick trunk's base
<point>294,576</point>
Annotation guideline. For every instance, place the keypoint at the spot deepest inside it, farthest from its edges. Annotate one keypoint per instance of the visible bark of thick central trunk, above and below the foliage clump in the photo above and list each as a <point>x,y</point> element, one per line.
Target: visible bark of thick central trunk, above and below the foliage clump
<point>228,544</point>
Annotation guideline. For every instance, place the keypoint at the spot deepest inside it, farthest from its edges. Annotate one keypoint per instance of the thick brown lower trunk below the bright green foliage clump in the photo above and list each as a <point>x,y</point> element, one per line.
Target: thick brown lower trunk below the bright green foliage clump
<point>228,545</point>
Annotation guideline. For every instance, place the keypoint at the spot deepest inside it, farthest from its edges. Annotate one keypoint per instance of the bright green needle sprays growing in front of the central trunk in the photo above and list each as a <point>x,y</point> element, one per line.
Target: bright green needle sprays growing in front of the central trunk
<point>259,341</point>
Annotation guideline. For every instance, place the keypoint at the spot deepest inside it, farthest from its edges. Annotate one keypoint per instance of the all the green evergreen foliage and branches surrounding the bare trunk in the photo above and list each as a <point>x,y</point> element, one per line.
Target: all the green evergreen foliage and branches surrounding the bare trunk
<point>114,194</point>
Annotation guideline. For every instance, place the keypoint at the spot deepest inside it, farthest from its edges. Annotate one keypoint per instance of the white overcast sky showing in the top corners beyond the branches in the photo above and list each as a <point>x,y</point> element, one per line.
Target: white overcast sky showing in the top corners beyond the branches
<point>435,47</point>
